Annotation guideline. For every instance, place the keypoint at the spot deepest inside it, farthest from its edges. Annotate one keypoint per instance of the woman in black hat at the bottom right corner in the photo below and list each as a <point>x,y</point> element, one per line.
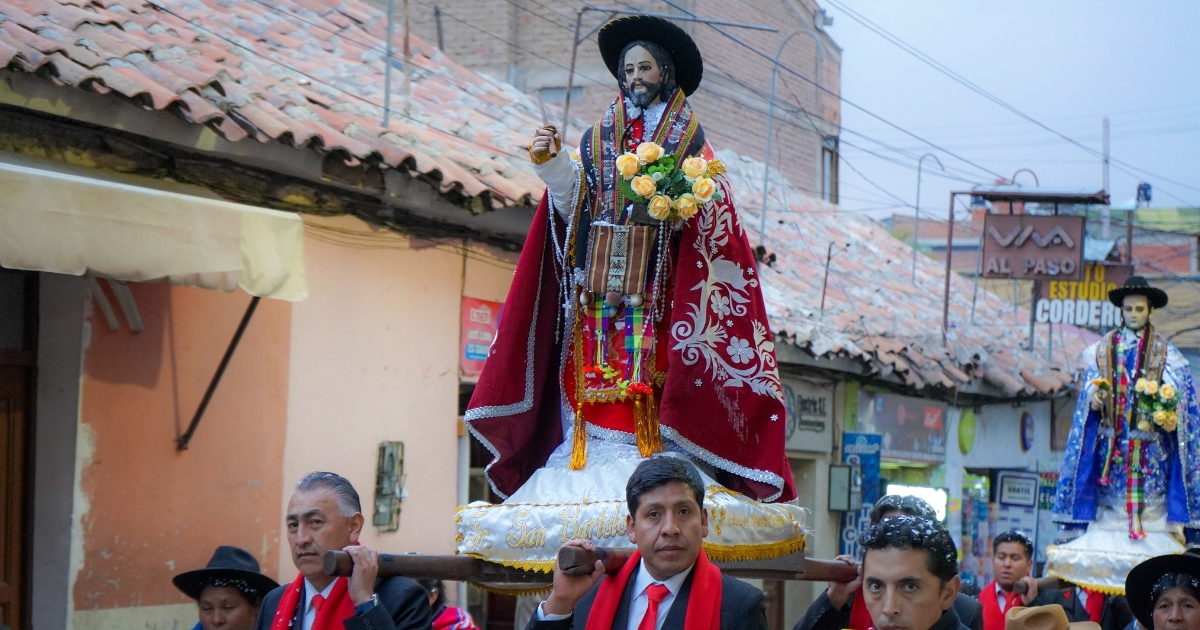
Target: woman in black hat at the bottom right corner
<point>1165,592</point>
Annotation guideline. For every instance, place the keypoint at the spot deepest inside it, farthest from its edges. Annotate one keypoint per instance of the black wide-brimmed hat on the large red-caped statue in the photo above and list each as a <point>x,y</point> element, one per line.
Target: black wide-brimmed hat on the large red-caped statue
<point>689,68</point>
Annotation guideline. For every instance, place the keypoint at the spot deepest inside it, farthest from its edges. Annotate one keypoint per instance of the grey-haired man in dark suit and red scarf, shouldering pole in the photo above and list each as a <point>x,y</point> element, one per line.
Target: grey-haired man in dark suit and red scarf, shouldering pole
<point>325,514</point>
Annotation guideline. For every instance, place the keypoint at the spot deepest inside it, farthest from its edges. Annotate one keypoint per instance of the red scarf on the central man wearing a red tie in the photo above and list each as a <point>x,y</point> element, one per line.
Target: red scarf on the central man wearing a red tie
<point>704,604</point>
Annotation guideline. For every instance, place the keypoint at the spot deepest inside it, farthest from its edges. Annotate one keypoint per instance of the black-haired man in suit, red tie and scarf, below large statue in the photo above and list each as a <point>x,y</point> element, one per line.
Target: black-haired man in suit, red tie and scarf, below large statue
<point>670,578</point>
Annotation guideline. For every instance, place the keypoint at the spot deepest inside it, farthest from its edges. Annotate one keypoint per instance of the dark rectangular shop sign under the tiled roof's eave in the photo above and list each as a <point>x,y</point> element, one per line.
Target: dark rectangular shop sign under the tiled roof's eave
<point>913,429</point>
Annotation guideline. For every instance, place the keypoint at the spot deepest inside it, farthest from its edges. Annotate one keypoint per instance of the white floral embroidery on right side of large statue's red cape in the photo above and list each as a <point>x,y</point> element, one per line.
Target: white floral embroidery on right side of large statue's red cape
<point>700,335</point>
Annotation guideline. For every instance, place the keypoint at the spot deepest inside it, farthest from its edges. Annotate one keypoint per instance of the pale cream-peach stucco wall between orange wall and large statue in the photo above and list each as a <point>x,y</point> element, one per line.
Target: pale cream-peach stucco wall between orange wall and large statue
<point>375,358</point>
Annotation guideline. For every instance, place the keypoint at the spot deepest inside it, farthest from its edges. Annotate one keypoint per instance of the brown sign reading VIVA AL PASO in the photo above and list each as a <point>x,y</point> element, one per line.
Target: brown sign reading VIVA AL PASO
<point>1034,248</point>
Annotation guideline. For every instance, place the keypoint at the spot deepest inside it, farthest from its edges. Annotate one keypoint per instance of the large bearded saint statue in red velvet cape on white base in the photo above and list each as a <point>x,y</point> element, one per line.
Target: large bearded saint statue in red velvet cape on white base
<point>634,327</point>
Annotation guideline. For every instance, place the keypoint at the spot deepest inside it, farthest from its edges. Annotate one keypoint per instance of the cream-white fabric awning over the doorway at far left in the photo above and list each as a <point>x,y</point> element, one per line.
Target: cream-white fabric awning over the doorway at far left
<point>74,220</point>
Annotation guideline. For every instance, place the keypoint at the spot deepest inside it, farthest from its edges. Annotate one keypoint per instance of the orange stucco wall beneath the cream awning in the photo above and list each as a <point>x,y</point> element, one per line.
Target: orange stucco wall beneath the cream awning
<point>146,512</point>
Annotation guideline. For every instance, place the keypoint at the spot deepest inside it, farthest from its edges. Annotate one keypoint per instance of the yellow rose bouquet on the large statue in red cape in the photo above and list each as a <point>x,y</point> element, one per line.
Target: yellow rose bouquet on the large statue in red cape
<point>671,191</point>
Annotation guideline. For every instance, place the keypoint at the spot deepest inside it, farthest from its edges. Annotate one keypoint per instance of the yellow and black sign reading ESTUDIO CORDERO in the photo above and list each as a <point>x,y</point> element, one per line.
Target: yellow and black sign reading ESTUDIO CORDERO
<point>1084,303</point>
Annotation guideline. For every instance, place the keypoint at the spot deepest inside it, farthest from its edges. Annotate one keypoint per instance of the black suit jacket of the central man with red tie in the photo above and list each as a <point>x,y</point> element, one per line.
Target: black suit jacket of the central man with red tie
<point>743,608</point>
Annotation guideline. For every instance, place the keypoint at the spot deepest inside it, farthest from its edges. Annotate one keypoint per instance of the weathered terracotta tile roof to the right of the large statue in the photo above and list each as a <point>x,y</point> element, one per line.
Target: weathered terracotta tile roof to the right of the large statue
<point>874,314</point>
